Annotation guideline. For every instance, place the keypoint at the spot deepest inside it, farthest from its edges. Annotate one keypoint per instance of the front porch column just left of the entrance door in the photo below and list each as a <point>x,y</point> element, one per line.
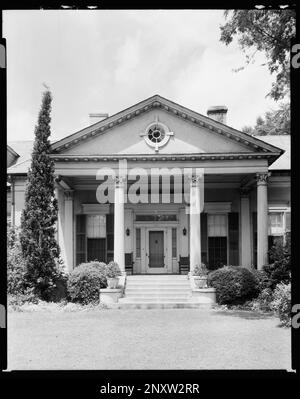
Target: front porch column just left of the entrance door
<point>119,254</point>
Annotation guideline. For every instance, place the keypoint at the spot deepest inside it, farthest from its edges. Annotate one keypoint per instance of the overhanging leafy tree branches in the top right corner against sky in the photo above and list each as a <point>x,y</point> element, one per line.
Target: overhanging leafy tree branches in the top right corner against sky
<point>268,31</point>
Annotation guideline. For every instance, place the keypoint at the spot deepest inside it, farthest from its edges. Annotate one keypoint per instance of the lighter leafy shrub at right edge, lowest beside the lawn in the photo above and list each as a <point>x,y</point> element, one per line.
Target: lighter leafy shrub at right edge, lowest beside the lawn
<point>282,303</point>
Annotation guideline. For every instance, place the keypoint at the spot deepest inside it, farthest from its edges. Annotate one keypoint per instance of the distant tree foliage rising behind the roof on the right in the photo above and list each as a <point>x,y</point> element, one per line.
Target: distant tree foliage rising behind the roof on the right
<point>275,122</point>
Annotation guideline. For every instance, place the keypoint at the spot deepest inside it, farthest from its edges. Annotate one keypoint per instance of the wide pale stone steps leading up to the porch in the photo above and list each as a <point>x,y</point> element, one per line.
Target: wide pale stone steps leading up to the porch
<point>157,291</point>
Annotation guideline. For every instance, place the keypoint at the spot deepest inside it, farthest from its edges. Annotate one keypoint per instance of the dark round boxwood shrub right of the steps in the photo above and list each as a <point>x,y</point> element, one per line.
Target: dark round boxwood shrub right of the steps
<point>233,284</point>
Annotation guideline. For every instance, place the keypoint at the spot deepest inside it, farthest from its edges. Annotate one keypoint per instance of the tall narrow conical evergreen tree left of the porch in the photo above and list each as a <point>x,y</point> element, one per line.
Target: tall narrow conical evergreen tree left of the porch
<point>38,242</point>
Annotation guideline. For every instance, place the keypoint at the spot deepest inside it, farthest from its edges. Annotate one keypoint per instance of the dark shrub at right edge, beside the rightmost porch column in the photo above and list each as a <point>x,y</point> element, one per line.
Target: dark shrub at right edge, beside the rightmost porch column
<point>279,271</point>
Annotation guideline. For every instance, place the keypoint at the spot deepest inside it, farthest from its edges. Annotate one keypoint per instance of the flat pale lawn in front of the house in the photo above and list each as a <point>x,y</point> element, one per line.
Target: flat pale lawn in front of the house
<point>146,339</point>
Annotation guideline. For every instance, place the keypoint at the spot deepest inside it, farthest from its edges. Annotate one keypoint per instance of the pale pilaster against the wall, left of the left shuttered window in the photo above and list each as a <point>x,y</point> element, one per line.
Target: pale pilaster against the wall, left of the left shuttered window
<point>68,229</point>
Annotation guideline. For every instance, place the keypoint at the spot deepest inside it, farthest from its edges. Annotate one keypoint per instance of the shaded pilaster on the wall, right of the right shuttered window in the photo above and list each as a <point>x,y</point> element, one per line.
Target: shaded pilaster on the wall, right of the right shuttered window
<point>245,228</point>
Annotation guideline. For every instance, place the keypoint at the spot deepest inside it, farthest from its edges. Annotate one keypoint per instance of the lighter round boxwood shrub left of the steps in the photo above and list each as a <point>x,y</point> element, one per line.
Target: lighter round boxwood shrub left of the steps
<point>85,281</point>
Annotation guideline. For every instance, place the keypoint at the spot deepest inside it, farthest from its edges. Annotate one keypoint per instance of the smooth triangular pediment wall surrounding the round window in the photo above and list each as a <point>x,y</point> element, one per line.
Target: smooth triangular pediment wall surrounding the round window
<point>126,139</point>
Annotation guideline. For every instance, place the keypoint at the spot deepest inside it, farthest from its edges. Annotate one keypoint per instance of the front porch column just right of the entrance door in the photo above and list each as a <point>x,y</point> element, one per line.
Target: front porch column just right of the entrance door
<point>195,230</point>
